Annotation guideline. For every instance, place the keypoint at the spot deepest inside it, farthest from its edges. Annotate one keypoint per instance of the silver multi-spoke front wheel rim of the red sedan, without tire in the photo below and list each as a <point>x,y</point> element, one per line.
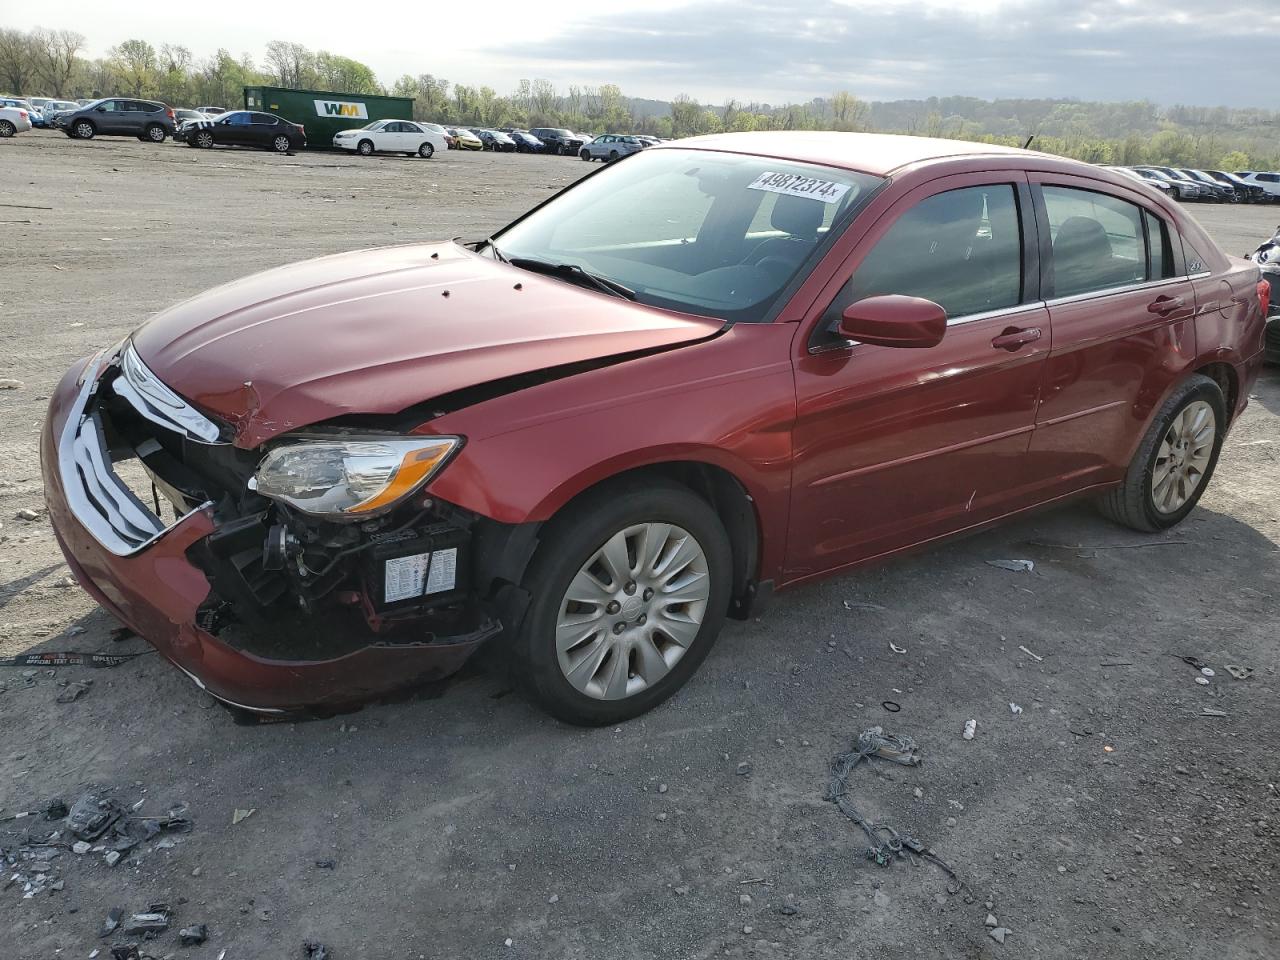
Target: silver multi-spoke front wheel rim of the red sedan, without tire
<point>633,611</point>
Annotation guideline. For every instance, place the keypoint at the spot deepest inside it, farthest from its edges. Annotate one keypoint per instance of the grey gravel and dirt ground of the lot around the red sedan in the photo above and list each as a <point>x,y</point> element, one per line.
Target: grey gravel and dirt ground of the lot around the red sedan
<point>1109,819</point>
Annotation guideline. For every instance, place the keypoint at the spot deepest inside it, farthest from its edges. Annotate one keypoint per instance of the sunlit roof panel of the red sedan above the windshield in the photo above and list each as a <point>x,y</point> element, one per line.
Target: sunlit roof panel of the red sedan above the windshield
<point>870,153</point>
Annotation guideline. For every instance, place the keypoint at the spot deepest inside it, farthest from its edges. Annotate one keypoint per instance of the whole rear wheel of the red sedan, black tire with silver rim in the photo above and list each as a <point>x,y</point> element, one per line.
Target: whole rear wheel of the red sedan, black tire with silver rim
<point>1137,502</point>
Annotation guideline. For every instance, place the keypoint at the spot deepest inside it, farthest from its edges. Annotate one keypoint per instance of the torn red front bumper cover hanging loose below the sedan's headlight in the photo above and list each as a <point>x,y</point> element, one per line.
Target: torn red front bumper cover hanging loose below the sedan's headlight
<point>158,592</point>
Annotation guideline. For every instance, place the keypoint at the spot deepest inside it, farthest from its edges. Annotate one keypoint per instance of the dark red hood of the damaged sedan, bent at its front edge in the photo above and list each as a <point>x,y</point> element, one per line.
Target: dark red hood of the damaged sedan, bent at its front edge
<point>380,331</point>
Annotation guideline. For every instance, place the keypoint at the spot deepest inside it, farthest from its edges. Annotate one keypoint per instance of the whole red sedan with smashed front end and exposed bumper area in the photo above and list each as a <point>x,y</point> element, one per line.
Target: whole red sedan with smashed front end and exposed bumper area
<point>720,368</point>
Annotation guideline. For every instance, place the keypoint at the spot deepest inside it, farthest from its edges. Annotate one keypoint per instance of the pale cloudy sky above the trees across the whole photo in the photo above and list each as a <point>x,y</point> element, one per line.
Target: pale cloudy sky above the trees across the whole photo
<point>776,52</point>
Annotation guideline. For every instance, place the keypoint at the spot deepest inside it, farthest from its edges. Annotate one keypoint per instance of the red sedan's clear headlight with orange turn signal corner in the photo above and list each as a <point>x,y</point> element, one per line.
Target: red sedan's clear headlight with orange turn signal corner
<point>351,478</point>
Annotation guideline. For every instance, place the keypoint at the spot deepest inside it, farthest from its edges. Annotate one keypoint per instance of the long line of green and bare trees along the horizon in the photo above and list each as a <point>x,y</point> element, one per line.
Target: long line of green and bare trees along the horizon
<point>52,63</point>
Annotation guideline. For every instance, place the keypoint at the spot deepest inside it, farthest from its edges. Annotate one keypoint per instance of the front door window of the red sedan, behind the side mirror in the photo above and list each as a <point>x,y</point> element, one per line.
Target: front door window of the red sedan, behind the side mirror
<point>962,250</point>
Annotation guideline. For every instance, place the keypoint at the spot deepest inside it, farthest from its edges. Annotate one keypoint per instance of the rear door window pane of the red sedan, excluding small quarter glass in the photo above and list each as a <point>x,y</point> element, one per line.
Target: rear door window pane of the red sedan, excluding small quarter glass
<point>1099,241</point>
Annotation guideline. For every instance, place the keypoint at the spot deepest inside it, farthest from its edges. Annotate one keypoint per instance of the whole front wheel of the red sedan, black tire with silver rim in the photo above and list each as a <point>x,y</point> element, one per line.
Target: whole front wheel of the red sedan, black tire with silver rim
<point>569,546</point>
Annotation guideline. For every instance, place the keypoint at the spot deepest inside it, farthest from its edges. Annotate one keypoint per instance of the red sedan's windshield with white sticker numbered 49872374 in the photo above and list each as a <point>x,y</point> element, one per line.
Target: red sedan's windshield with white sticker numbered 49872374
<point>701,232</point>
